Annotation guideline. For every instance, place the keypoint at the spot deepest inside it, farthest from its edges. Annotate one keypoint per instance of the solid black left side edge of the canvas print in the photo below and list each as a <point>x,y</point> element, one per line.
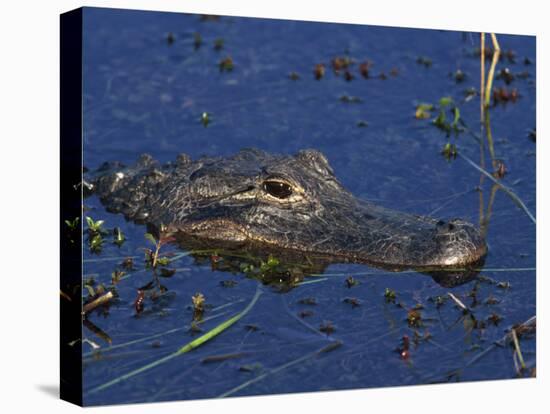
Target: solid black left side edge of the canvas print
<point>71,206</point>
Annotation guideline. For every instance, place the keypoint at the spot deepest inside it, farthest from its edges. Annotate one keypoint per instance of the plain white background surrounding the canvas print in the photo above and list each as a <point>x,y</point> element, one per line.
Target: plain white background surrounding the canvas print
<point>29,206</point>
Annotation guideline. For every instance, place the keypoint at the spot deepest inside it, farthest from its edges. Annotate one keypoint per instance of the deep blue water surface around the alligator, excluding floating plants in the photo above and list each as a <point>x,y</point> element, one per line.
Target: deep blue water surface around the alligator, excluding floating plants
<point>142,94</point>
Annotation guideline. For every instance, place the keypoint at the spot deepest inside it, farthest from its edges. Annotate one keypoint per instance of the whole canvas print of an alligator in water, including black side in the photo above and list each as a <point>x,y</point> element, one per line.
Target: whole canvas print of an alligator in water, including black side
<point>268,206</point>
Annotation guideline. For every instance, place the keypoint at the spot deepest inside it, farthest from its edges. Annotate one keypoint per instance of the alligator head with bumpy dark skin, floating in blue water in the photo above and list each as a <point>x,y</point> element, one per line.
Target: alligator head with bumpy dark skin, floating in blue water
<point>288,202</point>
